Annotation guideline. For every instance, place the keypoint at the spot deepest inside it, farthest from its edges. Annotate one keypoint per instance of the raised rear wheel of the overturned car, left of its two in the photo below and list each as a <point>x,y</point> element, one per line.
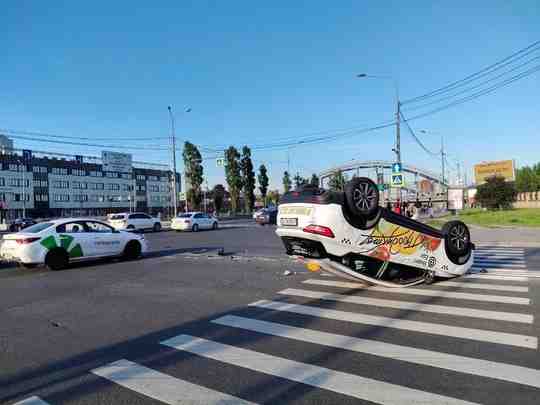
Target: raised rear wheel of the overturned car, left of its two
<point>362,197</point>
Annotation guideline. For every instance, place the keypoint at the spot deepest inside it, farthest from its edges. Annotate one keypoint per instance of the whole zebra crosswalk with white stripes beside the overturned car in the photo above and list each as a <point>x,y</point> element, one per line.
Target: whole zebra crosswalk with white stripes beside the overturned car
<point>470,340</point>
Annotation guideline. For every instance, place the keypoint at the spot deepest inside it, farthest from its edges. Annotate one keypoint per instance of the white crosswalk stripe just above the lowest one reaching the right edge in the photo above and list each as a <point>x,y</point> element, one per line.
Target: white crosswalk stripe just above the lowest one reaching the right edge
<point>510,339</point>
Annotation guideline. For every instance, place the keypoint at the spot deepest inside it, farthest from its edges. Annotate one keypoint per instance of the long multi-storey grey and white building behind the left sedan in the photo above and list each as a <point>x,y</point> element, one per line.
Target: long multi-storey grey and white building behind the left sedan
<point>42,184</point>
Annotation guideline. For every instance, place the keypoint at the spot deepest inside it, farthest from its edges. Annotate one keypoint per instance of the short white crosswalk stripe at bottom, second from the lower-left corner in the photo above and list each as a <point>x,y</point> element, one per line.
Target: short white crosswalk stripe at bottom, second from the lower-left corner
<point>164,388</point>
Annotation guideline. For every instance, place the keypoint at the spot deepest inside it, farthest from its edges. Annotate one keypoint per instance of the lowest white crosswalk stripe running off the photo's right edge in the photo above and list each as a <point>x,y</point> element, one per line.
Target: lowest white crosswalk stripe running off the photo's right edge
<point>461,364</point>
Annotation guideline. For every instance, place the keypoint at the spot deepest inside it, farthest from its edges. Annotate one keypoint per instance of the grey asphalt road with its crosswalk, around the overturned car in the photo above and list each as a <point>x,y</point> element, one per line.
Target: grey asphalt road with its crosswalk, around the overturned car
<point>184,324</point>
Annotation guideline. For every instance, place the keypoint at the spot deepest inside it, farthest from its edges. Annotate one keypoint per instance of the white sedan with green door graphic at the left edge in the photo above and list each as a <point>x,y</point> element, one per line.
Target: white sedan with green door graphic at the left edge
<point>63,241</point>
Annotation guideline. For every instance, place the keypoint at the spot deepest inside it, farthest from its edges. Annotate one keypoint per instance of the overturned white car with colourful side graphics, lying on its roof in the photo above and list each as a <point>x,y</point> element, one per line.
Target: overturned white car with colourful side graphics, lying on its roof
<point>350,235</point>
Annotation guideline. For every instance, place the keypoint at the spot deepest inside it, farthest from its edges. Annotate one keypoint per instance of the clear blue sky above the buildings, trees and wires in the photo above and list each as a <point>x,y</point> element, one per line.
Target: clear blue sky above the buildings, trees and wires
<point>253,73</point>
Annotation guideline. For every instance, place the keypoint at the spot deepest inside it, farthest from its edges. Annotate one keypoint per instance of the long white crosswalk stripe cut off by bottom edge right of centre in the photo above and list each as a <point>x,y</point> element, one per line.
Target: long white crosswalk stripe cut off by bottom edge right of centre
<point>315,376</point>
